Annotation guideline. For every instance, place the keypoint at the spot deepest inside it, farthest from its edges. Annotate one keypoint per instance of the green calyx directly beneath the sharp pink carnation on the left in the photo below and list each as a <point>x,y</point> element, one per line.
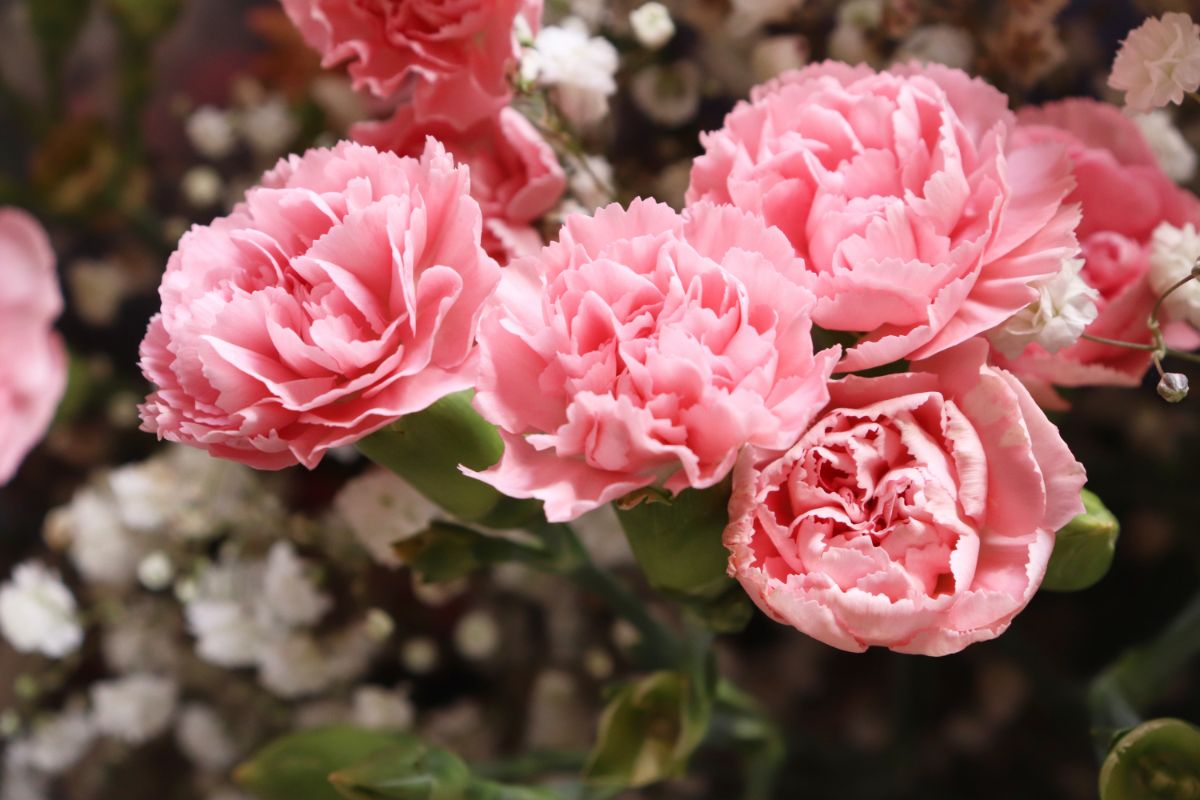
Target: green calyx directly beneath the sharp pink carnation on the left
<point>427,449</point>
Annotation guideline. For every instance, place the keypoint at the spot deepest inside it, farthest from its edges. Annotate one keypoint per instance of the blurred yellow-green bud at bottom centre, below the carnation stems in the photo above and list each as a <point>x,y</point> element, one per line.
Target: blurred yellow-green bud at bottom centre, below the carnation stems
<point>650,730</point>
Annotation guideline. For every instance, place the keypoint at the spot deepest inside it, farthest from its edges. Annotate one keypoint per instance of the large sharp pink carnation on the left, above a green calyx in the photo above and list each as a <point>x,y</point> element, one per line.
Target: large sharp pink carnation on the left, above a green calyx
<point>343,294</point>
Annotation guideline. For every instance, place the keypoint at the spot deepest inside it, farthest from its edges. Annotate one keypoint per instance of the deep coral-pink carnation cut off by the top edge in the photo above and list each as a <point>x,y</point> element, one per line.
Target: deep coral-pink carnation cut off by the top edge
<point>460,51</point>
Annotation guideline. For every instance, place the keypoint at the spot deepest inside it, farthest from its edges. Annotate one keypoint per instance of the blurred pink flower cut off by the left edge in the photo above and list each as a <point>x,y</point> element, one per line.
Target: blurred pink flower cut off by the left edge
<point>33,362</point>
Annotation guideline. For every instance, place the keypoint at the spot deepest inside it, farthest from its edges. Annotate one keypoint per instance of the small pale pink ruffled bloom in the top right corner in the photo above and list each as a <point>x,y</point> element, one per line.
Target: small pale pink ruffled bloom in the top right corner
<point>1159,63</point>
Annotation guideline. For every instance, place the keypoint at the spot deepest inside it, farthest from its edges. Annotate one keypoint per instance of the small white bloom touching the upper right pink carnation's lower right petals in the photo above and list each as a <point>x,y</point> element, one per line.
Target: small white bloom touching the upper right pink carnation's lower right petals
<point>1065,308</point>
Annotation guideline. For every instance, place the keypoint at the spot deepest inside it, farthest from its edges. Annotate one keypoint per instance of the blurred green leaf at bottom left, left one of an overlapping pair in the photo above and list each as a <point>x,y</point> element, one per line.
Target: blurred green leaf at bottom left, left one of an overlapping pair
<point>298,767</point>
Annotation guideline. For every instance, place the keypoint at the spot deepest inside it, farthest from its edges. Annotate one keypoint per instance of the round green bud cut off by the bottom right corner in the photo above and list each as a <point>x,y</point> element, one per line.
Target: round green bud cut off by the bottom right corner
<point>1156,761</point>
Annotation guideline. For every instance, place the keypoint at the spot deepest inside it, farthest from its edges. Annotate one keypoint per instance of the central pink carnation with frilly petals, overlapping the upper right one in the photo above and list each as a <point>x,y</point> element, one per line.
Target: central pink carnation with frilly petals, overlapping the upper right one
<point>646,348</point>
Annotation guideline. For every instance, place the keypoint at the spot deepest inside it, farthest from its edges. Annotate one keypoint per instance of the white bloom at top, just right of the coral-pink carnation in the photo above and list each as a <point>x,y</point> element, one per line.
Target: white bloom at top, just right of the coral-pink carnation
<point>578,68</point>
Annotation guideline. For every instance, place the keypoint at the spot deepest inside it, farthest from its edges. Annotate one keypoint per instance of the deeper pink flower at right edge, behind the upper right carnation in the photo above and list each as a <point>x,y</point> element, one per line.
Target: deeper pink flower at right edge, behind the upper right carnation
<point>1125,196</point>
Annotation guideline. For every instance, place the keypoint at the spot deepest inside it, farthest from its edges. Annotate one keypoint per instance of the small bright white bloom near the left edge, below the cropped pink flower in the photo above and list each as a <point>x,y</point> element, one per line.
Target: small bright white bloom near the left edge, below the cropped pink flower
<point>38,612</point>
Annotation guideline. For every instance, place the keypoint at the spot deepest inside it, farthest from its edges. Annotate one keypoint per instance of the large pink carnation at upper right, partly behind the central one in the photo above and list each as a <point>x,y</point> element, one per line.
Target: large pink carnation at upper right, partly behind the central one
<point>919,224</point>
